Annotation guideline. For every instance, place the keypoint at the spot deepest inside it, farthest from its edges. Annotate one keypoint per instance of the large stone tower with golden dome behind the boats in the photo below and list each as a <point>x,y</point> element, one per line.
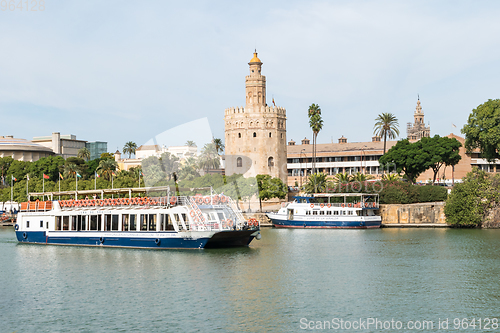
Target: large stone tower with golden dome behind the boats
<point>255,135</point>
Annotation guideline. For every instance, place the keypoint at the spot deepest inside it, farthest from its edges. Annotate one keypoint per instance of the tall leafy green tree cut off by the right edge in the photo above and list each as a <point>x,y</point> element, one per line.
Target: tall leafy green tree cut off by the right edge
<point>482,130</point>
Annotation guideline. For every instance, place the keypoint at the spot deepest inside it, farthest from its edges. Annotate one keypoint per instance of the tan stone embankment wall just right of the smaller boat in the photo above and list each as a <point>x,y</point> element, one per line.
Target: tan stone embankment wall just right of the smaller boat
<point>427,214</point>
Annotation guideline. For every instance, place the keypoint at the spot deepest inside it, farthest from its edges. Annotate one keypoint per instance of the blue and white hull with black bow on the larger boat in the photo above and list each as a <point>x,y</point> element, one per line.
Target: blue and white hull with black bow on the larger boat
<point>166,240</point>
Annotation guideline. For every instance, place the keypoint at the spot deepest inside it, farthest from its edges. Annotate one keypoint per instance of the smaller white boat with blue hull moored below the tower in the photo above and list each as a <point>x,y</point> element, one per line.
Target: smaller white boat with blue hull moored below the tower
<point>338,210</point>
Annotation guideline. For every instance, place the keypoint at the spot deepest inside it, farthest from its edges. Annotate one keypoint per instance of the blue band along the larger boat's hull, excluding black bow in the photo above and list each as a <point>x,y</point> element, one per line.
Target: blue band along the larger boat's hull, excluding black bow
<point>39,237</point>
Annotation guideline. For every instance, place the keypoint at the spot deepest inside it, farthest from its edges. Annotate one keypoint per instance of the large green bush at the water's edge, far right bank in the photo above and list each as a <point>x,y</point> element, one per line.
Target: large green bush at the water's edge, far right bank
<point>469,201</point>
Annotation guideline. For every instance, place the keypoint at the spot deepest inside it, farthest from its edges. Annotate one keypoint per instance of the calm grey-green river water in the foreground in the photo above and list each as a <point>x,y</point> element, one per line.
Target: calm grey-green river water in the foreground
<point>288,281</point>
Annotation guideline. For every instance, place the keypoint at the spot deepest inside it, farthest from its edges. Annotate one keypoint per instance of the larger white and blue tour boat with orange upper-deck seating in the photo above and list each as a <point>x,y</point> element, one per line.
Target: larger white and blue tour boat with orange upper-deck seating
<point>157,222</point>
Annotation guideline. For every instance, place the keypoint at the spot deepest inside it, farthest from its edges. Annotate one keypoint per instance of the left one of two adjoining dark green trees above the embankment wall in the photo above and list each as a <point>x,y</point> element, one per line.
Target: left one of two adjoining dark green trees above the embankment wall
<point>406,157</point>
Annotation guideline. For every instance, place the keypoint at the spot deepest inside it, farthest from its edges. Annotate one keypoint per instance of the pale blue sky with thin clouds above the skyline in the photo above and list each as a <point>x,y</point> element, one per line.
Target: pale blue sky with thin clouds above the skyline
<point>121,71</point>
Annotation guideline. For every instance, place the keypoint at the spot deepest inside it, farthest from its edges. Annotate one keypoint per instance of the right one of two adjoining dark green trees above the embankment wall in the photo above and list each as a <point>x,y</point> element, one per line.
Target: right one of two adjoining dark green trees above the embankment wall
<point>441,151</point>
